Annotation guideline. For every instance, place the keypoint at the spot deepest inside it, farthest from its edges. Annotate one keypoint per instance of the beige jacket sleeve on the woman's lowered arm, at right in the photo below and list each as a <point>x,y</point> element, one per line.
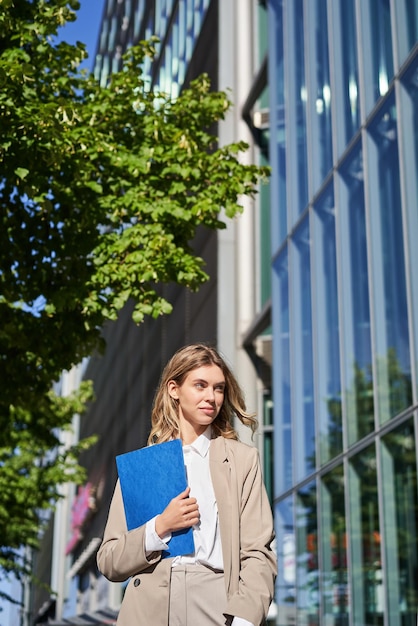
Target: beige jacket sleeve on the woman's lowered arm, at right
<point>258,563</point>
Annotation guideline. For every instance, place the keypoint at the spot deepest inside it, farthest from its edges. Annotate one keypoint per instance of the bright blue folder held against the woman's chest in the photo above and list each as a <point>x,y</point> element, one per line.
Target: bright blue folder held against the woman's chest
<point>150,478</point>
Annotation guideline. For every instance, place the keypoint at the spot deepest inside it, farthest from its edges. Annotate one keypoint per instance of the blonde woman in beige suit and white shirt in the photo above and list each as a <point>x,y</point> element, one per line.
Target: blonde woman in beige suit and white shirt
<point>229,580</point>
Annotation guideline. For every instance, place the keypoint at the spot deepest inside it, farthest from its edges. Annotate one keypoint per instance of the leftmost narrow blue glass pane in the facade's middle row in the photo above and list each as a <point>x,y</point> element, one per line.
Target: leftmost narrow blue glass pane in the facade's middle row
<point>281,371</point>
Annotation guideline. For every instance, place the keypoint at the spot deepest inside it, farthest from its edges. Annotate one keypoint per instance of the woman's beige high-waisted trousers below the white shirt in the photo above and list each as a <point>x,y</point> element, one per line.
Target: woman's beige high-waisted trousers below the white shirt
<point>197,596</point>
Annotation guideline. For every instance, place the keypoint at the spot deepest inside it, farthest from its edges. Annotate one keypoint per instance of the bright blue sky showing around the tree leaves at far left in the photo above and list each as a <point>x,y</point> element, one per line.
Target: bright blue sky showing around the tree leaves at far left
<point>84,29</point>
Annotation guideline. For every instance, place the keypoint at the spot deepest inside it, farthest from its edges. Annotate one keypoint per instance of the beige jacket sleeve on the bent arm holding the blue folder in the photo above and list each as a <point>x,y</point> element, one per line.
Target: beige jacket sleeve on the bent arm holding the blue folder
<point>122,552</point>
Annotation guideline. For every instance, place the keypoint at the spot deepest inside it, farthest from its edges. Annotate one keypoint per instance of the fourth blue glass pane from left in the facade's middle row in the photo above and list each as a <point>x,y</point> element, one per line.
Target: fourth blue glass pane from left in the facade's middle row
<point>355,299</point>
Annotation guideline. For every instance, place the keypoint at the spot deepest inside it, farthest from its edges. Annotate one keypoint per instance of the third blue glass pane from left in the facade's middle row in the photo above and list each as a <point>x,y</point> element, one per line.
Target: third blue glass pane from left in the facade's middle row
<point>327,329</point>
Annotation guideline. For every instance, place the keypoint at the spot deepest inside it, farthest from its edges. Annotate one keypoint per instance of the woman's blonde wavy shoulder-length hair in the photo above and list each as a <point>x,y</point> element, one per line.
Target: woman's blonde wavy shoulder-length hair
<point>165,411</point>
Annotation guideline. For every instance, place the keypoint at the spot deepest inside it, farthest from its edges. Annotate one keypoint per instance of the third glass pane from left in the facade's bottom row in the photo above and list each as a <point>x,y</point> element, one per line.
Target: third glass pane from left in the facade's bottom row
<point>335,584</point>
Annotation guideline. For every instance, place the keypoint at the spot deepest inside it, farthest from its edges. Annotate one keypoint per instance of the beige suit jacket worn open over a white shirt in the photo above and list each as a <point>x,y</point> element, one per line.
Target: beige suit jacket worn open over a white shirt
<point>246,532</point>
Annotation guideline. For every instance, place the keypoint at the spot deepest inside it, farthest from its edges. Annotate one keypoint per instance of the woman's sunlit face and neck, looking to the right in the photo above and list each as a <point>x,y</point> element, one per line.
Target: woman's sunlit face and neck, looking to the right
<point>200,398</point>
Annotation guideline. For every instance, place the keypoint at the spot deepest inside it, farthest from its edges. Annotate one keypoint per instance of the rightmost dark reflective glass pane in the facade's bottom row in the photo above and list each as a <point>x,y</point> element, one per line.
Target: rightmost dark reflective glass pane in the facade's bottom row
<point>400,501</point>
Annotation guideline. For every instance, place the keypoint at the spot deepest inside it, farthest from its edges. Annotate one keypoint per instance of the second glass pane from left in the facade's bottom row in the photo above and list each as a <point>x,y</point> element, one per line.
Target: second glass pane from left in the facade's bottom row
<point>307,573</point>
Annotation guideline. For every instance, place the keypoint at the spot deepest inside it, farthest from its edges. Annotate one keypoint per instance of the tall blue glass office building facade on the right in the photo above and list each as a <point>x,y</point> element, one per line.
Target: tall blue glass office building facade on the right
<point>343,79</point>
